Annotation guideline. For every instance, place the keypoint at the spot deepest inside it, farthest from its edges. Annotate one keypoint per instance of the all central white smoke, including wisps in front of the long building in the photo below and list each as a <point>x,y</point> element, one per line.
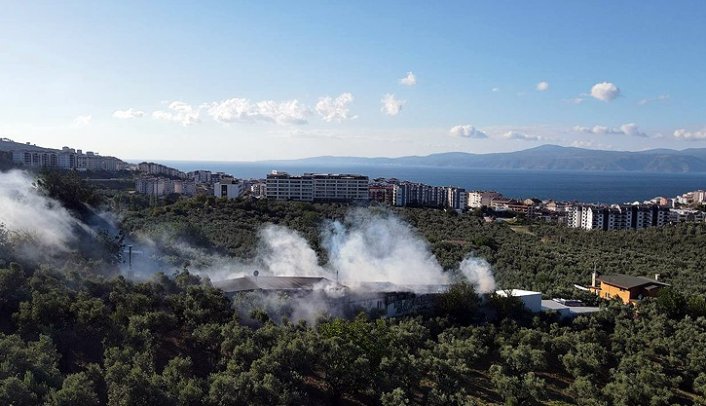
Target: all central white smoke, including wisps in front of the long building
<point>369,251</point>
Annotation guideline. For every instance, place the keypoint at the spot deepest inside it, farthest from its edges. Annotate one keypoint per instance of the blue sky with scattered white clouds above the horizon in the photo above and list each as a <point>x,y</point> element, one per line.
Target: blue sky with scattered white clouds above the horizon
<point>254,80</point>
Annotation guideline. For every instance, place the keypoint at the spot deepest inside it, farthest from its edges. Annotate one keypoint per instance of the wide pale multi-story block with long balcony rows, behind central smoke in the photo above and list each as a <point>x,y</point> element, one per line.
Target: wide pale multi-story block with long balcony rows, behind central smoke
<point>317,187</point>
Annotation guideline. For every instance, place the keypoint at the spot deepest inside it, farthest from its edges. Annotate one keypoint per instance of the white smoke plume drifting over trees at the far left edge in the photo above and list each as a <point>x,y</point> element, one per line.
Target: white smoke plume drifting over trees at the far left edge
<point>29,215</point>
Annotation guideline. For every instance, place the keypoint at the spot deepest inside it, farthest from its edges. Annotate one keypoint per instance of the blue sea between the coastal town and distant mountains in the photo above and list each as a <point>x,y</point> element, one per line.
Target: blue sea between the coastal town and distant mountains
<point>582,186</point>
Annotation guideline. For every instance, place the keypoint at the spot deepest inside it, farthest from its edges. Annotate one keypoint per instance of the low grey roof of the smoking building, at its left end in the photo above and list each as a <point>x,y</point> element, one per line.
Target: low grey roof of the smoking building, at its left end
<point>272,283</point>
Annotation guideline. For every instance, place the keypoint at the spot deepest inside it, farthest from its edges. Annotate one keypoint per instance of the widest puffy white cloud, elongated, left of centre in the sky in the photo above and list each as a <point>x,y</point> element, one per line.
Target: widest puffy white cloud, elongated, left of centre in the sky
<point>243,110</point>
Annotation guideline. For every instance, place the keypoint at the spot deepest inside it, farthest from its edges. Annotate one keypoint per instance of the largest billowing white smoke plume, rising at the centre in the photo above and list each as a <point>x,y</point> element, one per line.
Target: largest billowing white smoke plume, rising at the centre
<point>379,247</point>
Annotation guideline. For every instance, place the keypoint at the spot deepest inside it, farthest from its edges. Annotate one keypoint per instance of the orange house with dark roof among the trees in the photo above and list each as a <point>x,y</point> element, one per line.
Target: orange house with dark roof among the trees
<point>630,289</point>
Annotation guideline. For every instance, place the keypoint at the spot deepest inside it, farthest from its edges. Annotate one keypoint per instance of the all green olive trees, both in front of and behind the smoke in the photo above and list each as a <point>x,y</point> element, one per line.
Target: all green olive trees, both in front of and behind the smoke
<point>72,334</point>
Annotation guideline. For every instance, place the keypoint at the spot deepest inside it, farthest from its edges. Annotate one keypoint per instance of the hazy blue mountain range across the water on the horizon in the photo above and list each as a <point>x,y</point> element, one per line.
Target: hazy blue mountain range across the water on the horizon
<point>545,157</point>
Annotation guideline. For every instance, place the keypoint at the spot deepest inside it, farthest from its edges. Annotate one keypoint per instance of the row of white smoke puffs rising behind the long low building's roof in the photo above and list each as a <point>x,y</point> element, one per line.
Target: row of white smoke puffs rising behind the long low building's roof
<point>368,246</point>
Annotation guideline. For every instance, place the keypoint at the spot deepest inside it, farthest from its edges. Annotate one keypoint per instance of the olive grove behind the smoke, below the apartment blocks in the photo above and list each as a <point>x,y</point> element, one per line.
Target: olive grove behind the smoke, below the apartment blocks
<point>542,257</point>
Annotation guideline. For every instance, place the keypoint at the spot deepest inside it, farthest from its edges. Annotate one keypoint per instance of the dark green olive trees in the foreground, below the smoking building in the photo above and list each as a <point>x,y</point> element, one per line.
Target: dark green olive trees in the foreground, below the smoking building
<point>174,341</point>
